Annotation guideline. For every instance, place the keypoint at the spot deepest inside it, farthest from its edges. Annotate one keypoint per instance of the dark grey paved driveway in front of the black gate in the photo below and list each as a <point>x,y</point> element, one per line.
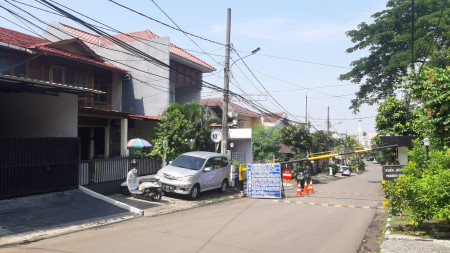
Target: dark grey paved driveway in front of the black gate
<point>46,215</point>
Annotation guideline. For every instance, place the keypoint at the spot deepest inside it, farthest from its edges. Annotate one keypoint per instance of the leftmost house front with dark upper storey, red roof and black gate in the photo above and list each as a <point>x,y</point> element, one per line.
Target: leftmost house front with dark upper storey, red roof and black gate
<point>42,85</point>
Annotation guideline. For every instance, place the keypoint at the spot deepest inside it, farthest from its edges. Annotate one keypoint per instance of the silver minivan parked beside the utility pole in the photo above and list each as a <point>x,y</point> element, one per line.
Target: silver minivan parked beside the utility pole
<point>195,172</point>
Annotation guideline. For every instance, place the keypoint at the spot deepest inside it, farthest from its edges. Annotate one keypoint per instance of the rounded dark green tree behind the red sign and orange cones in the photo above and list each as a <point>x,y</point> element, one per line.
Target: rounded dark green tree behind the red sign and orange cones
<point>297,136</point>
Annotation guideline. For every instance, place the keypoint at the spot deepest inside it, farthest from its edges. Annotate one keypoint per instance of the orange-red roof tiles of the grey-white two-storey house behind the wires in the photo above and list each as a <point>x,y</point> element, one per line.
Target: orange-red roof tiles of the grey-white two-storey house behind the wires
<point>96,40</point>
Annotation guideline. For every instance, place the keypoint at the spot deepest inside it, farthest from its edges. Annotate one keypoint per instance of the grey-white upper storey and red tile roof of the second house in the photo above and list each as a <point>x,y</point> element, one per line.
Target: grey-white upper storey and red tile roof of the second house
<point>160,72</point>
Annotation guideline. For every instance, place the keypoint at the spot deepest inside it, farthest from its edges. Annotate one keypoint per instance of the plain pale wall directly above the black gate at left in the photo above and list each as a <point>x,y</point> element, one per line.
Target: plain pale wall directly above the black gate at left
<point>38,115</point>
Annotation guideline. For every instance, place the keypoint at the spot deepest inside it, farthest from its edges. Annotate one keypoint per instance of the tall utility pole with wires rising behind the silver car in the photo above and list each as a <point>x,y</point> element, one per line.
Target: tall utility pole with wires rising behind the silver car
<point>226,87</point>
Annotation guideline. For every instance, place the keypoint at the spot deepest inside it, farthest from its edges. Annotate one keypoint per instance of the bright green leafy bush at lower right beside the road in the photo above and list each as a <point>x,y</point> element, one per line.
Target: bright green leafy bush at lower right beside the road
<point>424,188</point>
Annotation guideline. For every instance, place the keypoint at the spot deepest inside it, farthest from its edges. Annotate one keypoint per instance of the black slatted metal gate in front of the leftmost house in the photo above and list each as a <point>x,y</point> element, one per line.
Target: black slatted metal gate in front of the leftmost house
<point>31,166</point>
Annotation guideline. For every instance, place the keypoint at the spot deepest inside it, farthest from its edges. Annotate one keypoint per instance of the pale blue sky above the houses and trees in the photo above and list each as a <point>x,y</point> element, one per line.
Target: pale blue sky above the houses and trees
<point>302,43</point>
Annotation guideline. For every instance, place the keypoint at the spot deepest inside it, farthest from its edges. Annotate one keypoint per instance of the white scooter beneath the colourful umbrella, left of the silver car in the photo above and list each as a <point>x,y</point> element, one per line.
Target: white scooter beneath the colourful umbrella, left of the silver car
<point>149,188</point>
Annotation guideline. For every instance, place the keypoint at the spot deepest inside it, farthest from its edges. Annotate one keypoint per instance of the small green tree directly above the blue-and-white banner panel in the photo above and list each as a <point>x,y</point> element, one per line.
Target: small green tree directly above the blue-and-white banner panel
<point>266,142</point>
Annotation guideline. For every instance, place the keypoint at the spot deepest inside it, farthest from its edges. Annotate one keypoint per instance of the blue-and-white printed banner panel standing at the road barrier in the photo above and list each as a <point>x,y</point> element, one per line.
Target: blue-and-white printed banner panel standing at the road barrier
<point>264,180</point>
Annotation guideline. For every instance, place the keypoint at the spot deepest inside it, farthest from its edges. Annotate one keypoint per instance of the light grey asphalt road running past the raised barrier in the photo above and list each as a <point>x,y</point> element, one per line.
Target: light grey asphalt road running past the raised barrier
<point>334,219</point>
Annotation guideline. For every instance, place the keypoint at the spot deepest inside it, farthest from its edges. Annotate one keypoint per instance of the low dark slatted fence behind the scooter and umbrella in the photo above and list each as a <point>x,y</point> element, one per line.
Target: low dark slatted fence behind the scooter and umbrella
<point>111,169</point>
